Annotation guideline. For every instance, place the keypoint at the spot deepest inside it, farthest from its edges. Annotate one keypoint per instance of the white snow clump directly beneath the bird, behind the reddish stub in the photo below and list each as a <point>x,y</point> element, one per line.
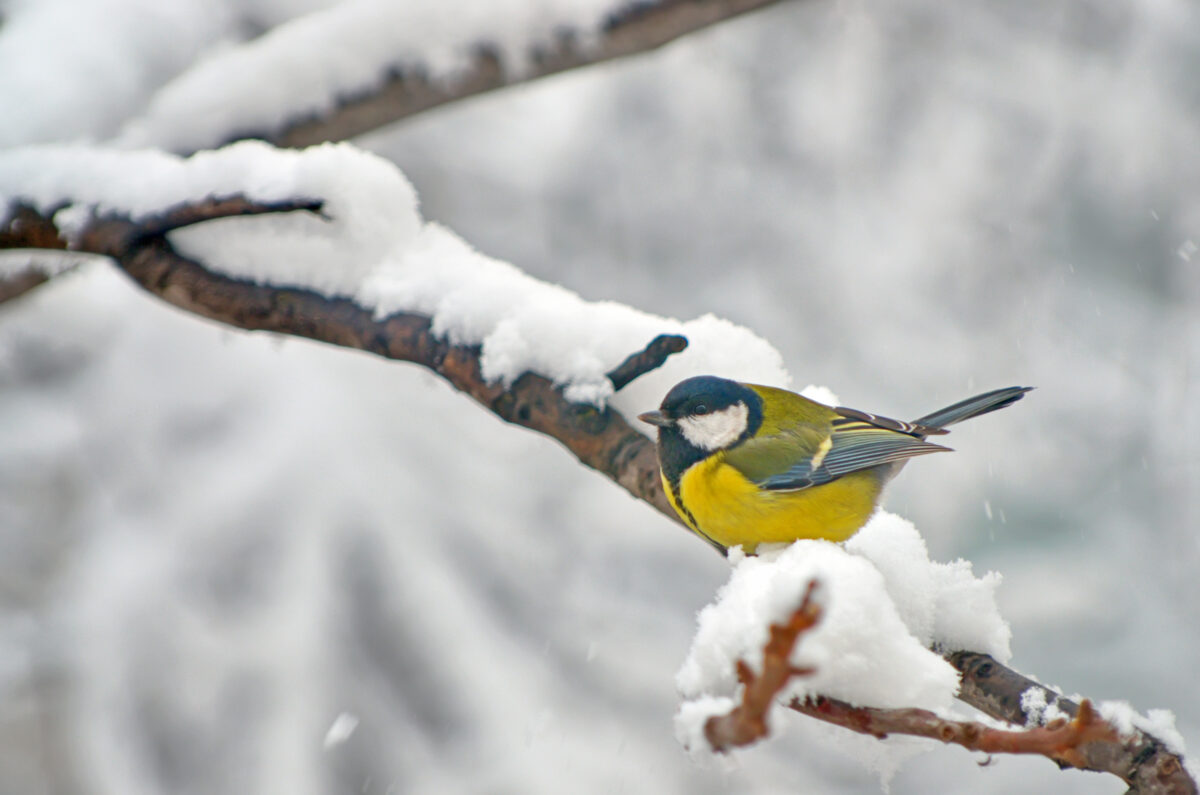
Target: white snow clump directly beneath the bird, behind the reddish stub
<point>887,605</point>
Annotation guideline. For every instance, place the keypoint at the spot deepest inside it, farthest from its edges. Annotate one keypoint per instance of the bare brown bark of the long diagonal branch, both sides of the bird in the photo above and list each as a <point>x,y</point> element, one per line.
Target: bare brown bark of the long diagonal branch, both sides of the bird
<point>601,439</point>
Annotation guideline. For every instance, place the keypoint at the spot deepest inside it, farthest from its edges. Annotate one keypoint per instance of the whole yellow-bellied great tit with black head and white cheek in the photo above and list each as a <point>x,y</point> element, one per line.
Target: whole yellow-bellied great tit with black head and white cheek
<point>745,464</point>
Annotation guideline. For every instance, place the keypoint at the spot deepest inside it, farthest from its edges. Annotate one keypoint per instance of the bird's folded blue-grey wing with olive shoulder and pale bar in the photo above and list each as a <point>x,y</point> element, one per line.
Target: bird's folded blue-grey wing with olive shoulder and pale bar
<point>811,457</point>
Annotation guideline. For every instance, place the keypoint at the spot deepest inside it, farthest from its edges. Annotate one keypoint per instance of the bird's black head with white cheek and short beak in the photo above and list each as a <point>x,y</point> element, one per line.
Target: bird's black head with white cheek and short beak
<point>709,414</point>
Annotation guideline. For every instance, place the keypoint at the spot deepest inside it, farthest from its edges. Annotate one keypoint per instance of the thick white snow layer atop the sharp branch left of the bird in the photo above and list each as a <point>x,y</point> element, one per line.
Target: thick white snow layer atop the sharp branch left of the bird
<point>371,243</point>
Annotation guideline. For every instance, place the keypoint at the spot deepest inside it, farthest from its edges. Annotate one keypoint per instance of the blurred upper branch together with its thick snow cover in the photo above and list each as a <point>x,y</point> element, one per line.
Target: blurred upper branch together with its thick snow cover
<point>406,61</point>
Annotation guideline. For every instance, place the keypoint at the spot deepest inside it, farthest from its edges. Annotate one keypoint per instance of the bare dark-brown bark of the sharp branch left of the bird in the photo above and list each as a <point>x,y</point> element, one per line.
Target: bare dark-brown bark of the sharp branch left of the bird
<point>601,438</point>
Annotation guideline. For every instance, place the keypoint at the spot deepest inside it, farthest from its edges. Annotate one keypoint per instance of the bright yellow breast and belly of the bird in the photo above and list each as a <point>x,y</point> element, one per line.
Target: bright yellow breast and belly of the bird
<point>718,503</point>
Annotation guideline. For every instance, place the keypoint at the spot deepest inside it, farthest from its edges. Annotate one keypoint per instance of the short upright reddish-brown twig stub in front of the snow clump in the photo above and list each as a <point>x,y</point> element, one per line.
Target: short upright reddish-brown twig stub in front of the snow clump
<point>748,722</point>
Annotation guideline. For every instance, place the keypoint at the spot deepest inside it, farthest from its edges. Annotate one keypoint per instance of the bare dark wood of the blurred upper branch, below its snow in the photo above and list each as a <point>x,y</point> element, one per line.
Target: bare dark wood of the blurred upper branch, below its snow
<point>639,27</point>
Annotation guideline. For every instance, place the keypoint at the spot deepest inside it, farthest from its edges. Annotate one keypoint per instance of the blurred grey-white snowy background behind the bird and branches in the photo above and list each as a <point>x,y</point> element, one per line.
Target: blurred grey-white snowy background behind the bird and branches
<point>213,543</point>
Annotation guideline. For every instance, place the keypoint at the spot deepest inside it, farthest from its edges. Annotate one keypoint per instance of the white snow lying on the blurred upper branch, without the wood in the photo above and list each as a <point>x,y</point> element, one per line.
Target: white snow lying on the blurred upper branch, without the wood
<point>302,69</point>
